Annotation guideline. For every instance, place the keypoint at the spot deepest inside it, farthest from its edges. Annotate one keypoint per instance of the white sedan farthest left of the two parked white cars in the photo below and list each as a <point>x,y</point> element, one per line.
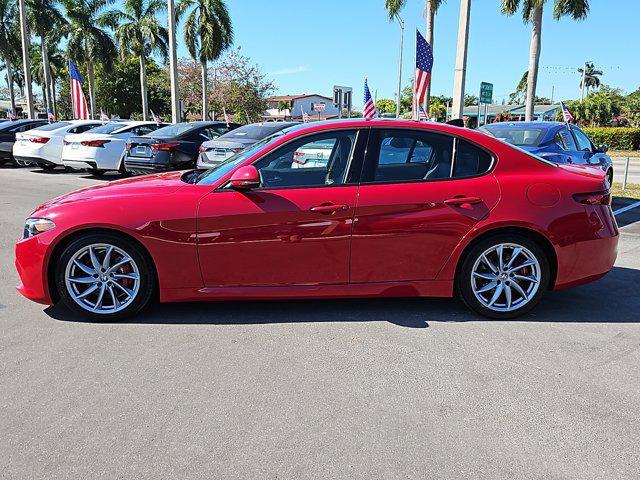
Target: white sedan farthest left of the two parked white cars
<point>43,145</point>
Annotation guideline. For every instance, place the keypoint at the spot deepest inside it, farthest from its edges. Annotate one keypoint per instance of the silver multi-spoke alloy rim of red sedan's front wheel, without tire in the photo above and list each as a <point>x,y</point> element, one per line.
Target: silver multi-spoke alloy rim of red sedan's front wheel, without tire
<point>102,278</point>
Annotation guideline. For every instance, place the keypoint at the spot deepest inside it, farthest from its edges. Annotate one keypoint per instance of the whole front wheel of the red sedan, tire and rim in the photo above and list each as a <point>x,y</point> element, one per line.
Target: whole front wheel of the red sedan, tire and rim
<point>104,277</point>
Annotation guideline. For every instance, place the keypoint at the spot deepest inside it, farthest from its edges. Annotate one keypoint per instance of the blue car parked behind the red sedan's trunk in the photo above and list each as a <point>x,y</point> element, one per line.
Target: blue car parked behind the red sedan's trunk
<point>554,141</point>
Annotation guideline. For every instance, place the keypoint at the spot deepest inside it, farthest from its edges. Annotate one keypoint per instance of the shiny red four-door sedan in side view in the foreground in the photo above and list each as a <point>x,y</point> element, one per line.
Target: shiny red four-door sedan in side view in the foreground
<point>336,209</point>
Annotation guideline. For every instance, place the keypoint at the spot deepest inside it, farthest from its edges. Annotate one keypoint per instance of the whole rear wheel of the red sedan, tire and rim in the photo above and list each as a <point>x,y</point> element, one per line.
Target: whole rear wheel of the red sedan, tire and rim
<point>504,276</point>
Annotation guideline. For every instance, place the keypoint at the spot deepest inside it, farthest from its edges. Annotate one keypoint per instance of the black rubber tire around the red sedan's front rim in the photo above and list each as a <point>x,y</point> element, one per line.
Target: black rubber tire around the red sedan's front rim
<point>140,257</point>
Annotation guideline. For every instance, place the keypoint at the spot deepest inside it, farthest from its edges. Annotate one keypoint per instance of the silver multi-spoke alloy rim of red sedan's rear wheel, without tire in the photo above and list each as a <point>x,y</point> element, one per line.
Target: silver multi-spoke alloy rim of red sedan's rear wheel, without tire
<point>505,277</point>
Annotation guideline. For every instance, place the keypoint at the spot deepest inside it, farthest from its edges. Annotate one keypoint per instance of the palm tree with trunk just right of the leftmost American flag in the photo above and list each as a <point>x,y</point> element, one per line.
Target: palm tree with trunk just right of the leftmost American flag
<point>89,39</point>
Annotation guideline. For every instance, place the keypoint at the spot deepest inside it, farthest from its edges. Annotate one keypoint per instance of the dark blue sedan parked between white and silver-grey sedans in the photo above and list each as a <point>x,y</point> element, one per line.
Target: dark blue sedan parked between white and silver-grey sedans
<point>173,147</point>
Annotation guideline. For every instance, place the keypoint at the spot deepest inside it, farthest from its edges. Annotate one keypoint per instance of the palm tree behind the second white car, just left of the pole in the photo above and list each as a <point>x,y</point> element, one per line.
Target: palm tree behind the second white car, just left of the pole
<point>140,33</point>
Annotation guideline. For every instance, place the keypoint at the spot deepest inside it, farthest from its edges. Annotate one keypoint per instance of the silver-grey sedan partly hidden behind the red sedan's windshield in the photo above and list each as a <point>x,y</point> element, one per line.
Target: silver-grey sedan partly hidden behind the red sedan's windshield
<point>216,151</point>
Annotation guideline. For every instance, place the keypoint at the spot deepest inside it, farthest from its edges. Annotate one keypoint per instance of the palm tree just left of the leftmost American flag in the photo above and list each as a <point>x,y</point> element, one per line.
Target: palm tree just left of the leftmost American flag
<point>45,19</point>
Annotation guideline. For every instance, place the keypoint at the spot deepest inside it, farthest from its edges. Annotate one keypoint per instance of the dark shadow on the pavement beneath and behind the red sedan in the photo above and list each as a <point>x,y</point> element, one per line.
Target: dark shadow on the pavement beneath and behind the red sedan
<point>612,299</point>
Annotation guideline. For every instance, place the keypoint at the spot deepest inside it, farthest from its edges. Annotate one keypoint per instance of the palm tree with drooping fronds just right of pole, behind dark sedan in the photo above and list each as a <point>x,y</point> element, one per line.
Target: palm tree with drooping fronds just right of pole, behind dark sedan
<point>207,33</point>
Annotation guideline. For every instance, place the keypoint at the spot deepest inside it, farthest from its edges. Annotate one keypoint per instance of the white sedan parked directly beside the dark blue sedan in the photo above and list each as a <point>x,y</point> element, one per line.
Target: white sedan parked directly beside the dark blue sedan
<point>101,148</point>
